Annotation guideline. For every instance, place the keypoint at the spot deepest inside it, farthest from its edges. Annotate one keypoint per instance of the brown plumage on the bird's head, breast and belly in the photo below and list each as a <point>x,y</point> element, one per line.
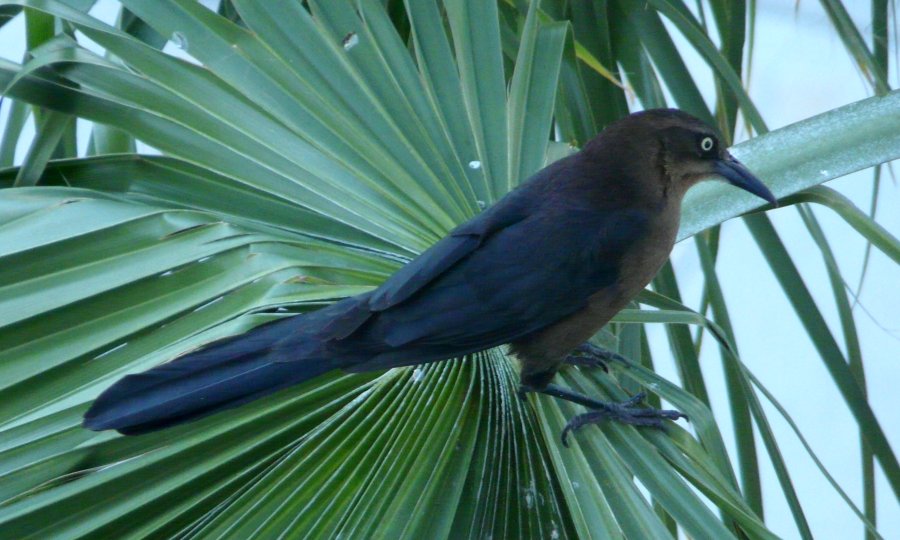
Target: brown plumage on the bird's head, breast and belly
<point>644,163</point>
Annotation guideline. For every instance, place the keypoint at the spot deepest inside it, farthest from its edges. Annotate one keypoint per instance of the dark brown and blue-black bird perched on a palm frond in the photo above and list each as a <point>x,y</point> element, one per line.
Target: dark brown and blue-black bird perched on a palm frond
<point>541,270</point>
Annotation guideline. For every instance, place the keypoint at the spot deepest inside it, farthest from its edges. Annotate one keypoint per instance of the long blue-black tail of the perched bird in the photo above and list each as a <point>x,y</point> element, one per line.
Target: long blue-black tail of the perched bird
<point>223,375</point>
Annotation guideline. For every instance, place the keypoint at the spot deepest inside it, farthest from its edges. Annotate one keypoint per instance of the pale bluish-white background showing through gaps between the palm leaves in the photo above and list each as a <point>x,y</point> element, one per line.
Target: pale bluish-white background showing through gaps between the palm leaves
<point>800,69</point>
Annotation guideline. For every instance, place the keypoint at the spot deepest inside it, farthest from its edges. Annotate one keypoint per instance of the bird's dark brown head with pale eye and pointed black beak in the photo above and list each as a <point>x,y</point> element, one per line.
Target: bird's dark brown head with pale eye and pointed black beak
<point>686,150</point>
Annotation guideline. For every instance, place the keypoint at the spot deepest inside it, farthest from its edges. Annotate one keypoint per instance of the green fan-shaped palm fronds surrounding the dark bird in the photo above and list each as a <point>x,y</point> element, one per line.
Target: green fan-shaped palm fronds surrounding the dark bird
<point>308,150</point>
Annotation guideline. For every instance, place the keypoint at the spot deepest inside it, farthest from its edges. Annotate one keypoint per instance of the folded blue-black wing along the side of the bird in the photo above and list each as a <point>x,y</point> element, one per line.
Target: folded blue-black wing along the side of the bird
<point>520,279</point>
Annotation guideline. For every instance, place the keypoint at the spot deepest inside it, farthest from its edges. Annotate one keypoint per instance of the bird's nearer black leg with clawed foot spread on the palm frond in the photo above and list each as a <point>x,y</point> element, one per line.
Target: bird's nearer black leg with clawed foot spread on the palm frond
<point>626,411</point>
